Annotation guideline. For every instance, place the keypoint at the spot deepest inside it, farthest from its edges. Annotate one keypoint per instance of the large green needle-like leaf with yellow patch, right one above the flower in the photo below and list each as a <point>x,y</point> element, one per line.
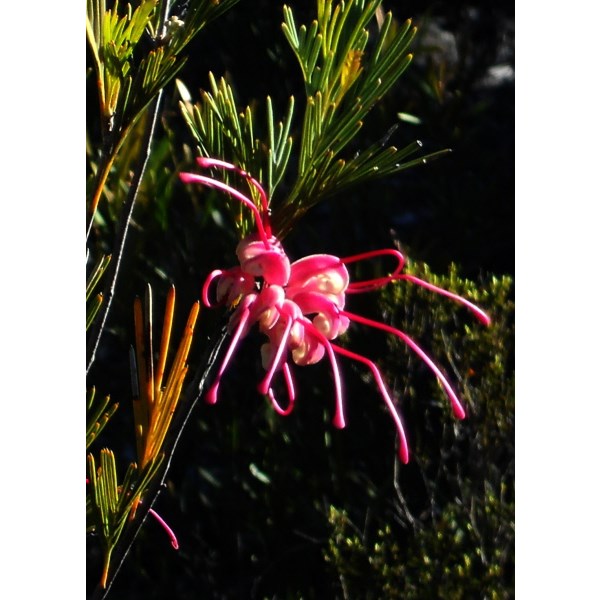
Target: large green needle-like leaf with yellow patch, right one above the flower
<point>344,80</point>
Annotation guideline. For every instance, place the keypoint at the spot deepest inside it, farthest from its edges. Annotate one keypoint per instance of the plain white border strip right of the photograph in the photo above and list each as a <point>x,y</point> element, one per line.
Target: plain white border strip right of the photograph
<point>558,233</point>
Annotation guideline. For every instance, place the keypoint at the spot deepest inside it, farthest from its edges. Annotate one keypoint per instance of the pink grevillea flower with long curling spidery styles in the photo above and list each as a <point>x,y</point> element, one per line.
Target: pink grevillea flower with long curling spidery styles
<point>301,306</point>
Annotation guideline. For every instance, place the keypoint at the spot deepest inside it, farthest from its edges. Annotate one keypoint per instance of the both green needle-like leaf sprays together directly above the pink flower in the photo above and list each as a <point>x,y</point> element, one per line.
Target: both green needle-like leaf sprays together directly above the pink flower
<point>343,82</point>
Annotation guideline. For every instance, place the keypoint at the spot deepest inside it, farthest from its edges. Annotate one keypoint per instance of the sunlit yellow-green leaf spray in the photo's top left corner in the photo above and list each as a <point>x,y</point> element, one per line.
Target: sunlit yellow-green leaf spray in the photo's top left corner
<point>128,80</point>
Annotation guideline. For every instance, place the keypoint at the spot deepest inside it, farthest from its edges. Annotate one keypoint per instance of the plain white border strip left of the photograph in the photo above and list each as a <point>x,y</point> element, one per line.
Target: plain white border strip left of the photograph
<point>42,106</point>
